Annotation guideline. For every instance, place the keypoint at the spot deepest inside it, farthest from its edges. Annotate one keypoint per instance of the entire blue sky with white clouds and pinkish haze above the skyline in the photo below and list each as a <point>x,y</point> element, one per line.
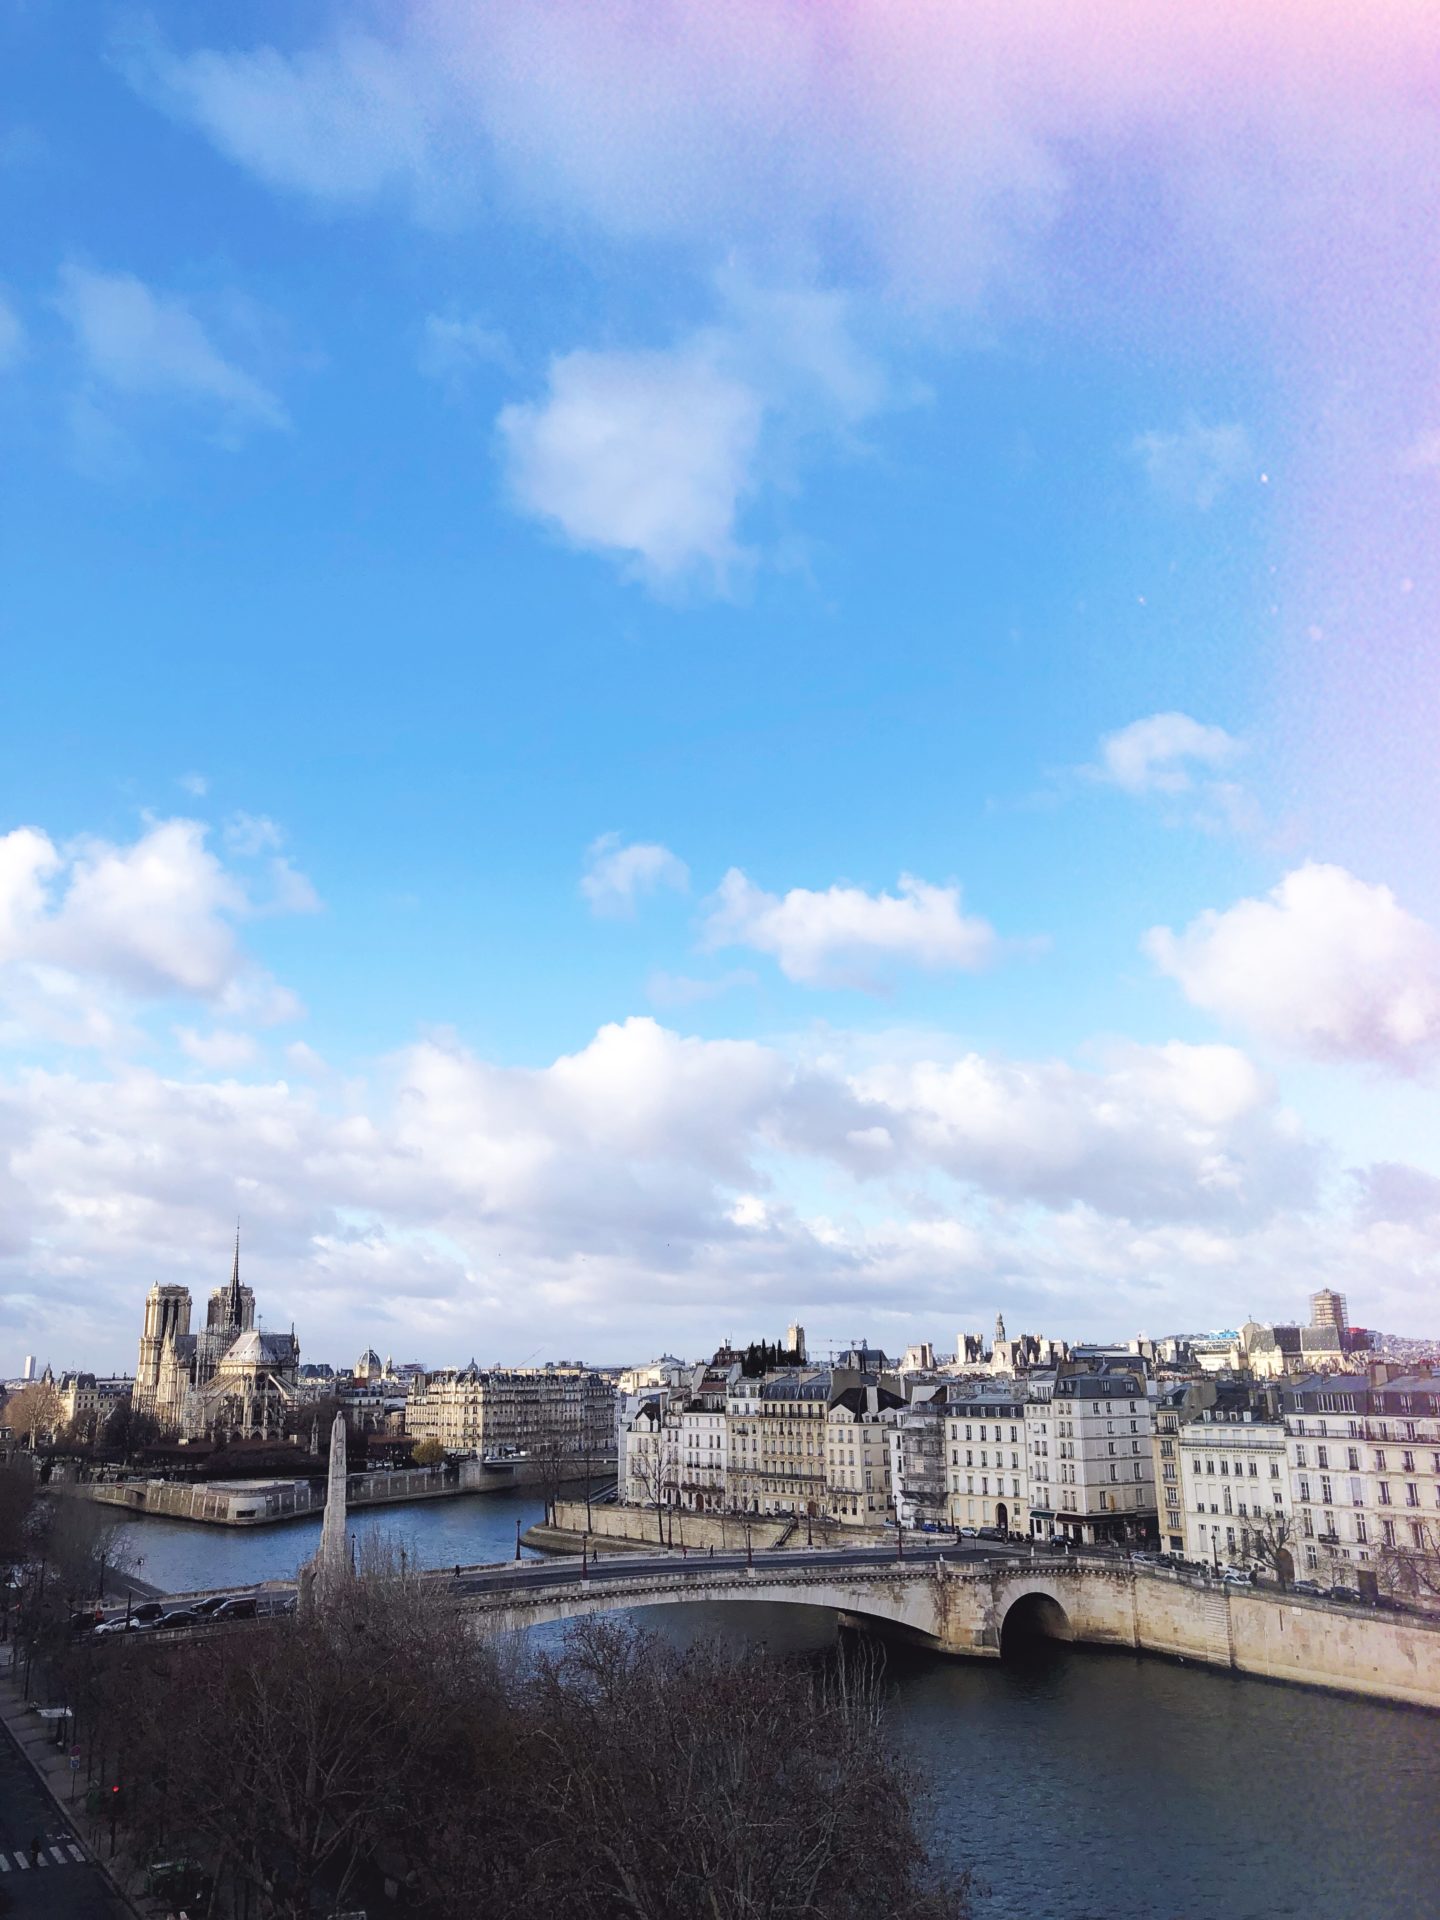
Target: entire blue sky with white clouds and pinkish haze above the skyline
<point>677,667</point>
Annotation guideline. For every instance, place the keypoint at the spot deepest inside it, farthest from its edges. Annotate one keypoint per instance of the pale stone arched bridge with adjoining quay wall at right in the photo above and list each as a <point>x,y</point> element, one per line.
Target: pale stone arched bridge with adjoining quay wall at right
<point>982,1608</point>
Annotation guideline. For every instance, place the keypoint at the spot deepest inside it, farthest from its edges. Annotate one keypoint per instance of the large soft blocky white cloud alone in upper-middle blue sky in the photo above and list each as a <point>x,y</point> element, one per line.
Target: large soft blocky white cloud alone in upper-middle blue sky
<point>640,454</point>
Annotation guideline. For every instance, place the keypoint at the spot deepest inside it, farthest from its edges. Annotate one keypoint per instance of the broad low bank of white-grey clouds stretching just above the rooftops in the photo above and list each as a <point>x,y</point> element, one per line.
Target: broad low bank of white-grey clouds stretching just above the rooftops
<point>650,1188</point>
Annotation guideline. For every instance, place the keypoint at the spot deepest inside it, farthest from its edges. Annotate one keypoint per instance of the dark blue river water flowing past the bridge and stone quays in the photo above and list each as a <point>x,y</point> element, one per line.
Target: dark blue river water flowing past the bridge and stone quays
<point>1078,1787</point>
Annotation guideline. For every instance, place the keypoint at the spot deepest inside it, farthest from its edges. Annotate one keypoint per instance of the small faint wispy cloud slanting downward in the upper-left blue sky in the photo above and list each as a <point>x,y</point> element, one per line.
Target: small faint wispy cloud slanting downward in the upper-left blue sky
<point>139,343</point>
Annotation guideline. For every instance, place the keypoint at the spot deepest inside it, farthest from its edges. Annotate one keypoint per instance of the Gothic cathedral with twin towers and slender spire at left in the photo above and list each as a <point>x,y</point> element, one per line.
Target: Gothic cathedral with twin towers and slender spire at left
<point>228,1381</point>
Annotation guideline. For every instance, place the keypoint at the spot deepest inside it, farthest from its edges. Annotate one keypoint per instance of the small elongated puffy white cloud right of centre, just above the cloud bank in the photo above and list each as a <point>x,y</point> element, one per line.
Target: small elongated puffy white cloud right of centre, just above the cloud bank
<point>848,936</point>
